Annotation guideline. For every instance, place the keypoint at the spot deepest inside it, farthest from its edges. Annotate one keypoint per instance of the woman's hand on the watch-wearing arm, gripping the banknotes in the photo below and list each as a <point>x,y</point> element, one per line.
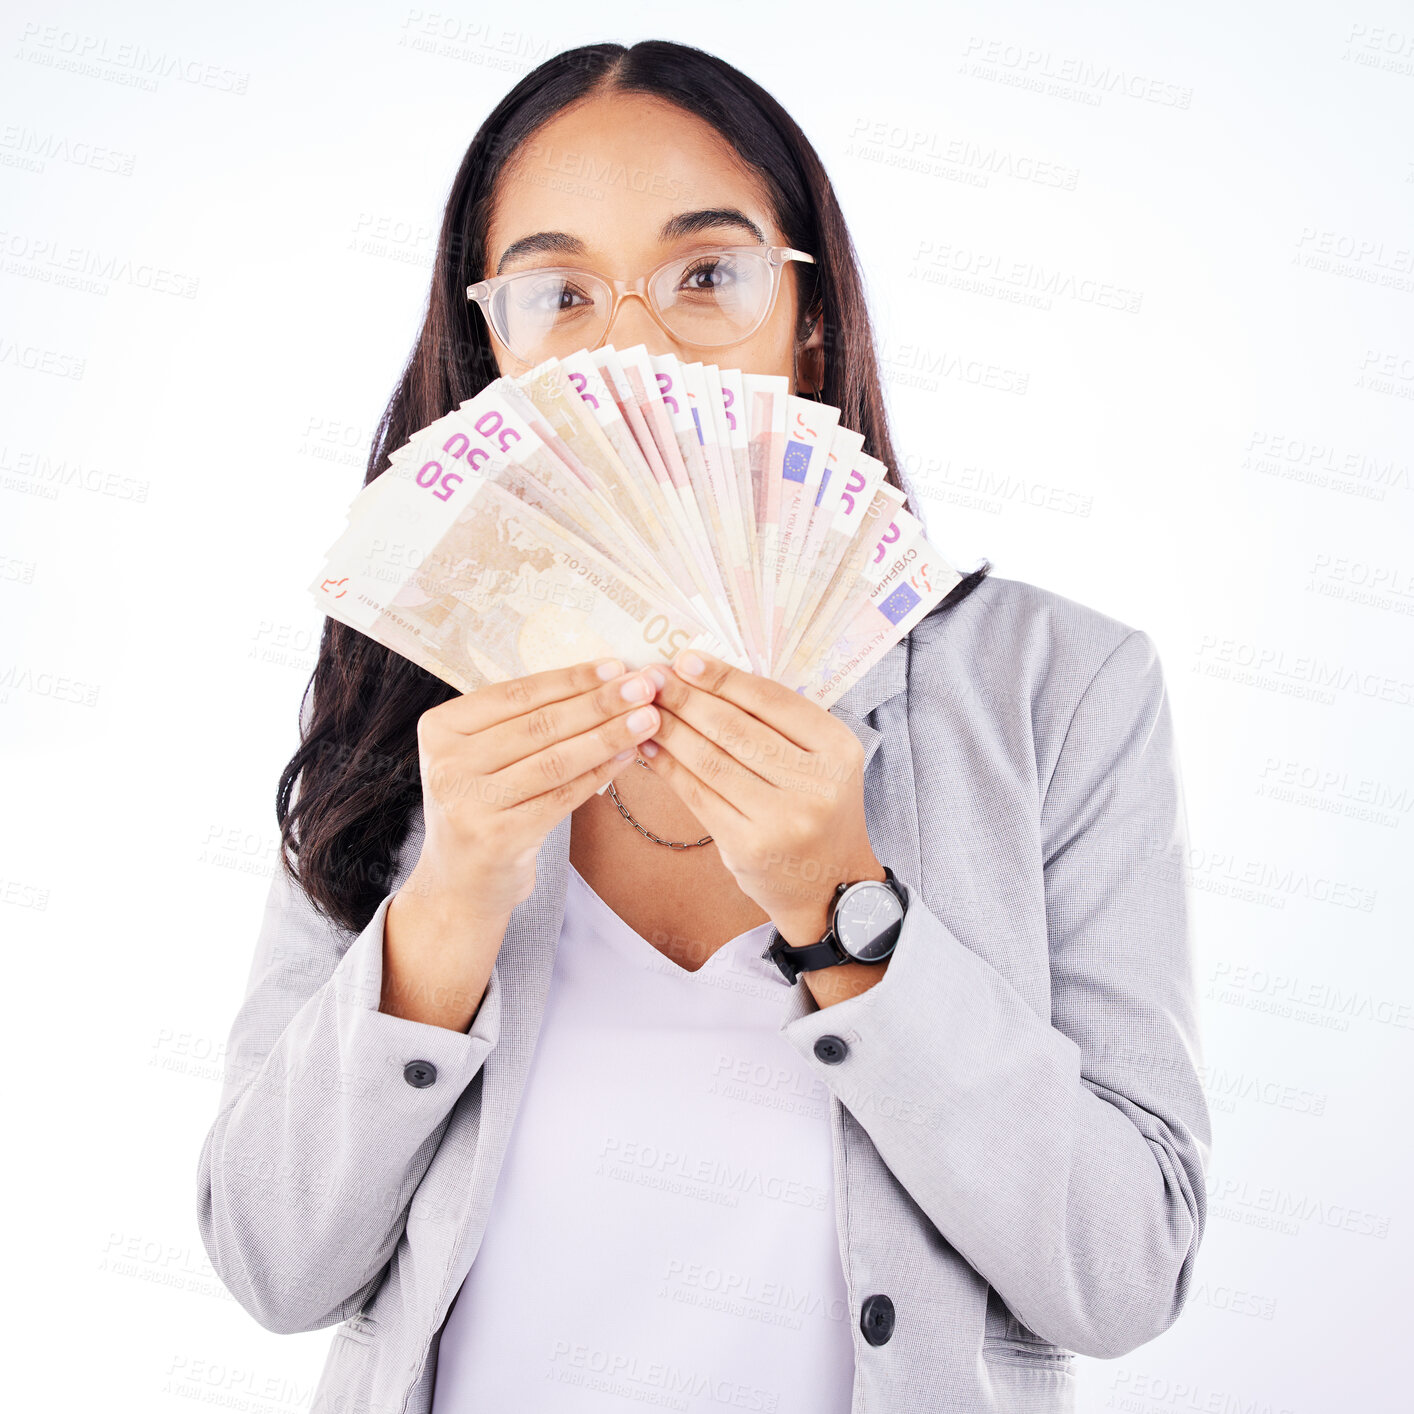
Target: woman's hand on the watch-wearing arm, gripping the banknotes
<point>776,780</point>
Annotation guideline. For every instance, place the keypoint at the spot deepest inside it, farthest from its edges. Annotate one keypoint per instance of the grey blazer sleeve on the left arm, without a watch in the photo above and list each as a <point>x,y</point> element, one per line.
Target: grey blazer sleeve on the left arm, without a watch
<point>322,1140</point>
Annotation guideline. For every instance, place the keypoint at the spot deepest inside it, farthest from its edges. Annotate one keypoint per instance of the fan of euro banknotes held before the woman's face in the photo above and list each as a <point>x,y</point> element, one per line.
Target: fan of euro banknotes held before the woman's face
<point>627,504</point>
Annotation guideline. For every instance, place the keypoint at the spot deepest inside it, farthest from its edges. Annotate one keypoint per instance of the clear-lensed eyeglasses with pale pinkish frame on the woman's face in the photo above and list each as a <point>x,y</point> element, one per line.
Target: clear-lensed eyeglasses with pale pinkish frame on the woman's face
<point>709,299</point>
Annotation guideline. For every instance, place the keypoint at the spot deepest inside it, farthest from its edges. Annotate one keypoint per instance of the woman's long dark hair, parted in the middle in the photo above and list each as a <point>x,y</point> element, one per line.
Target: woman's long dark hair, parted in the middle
<point>357,764</point>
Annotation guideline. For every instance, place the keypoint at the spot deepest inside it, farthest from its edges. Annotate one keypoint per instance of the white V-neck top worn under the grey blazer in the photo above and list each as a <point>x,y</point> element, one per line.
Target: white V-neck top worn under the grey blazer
<point>662,1234</point>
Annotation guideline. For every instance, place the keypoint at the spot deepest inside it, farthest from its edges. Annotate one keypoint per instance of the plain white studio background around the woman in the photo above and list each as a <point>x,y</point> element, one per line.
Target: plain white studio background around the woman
<point>1225,463</point>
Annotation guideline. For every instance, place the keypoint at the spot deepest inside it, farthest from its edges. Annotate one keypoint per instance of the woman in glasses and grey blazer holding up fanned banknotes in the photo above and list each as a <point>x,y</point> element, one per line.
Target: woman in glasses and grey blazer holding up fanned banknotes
<point>555,1099</point>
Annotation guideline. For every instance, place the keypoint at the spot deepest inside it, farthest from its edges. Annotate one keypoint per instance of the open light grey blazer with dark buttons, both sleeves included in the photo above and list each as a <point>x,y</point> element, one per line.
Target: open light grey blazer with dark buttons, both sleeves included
<point>1020,1132</point>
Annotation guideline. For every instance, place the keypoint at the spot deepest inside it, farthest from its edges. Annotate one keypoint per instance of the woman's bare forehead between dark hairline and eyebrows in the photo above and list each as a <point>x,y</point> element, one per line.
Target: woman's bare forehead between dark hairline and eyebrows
<point>612,172</point>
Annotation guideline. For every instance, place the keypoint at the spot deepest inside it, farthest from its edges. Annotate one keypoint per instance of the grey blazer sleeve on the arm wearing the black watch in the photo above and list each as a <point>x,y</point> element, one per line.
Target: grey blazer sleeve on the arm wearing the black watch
<point>1065,1157</point>
